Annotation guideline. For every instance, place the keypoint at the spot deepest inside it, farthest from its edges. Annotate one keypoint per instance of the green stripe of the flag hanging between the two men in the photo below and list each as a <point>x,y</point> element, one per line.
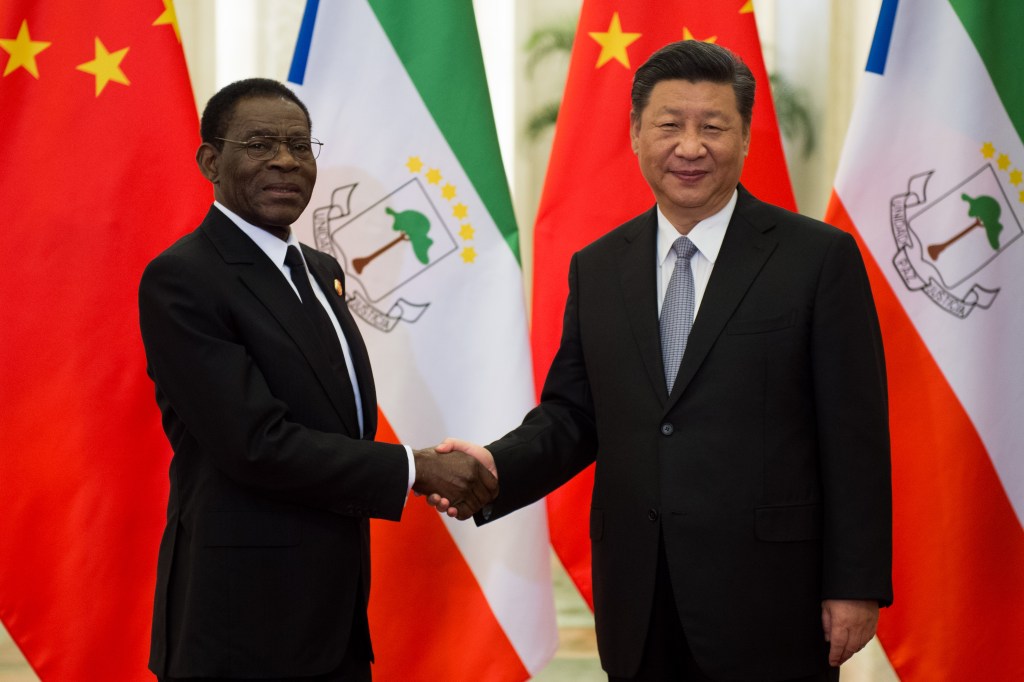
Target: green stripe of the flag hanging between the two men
<point>439,46</point>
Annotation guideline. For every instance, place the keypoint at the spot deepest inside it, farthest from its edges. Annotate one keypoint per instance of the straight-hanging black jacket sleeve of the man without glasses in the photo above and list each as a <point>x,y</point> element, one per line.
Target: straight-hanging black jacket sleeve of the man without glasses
<point>851,405</point>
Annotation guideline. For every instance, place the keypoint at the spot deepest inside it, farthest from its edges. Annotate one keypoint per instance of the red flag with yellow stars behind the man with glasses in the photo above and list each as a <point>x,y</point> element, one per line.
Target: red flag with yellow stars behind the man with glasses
<point>98,178</point>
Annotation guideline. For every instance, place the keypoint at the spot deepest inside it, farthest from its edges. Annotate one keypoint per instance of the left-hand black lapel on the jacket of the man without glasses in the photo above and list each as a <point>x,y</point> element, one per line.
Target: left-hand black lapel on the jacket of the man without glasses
<point>641,293</point>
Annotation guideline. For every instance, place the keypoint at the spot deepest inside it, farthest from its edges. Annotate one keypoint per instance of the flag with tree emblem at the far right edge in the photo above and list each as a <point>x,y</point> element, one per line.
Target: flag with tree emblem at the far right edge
<point>931,182</point>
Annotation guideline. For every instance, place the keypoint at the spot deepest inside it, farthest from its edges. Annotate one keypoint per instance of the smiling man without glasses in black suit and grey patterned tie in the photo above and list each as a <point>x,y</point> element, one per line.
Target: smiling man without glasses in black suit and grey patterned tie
<point>741,521</point>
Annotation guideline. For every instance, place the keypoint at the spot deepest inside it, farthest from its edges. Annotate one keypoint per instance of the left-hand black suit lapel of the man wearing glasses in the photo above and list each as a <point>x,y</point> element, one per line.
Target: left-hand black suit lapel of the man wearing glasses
<point>266,281</point>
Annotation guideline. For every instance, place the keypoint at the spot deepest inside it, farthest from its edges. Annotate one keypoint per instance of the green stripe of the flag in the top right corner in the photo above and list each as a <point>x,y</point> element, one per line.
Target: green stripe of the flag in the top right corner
<point>996,28</point>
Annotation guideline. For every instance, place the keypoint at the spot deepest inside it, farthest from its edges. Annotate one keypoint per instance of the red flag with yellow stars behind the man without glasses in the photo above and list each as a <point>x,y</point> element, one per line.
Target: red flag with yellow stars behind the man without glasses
<point>594,184</point>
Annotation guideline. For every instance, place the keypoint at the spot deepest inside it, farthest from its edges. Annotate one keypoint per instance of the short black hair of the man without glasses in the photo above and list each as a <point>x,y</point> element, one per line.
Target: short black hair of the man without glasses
<point>695,61</point>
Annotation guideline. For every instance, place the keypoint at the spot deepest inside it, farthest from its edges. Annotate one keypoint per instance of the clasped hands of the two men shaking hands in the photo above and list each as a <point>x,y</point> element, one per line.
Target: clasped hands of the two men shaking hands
<point>458,478</point>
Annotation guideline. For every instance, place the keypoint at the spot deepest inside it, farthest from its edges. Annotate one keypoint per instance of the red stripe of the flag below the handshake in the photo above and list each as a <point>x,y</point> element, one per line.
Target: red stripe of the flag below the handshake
<point>419,576</point>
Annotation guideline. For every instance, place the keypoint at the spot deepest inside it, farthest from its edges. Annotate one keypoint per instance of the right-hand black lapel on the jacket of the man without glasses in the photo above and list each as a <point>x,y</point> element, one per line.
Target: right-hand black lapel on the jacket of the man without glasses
<point>745,251</point>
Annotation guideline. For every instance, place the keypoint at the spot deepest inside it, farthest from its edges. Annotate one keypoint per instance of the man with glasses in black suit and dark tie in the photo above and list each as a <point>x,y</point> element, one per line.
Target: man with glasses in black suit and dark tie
<point>269,403</point>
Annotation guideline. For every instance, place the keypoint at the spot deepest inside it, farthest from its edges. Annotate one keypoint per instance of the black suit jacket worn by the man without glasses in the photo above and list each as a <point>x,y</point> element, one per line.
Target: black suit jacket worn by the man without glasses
<point>766,473</point>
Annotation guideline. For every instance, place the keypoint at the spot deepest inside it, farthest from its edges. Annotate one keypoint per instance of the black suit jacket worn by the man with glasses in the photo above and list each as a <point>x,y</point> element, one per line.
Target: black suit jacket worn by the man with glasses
<point>265,565</point>
